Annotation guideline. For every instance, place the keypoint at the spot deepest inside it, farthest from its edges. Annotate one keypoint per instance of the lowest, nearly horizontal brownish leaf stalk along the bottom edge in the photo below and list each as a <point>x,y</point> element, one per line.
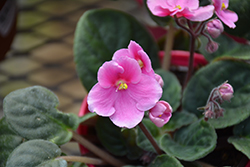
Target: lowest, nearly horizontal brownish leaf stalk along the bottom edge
<point>86,160</point>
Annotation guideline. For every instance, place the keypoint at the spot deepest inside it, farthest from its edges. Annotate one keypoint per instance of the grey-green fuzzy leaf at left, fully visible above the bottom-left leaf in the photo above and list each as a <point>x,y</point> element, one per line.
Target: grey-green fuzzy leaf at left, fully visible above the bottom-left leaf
<point>31,112</point>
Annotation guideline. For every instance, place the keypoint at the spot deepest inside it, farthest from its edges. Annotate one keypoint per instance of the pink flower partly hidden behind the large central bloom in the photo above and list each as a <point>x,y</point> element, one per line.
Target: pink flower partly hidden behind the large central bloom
<point>136,52</point>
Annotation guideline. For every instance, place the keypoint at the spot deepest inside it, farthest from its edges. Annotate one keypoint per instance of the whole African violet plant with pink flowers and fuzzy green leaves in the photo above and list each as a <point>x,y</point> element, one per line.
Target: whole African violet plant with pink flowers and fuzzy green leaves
<point>142,111</point>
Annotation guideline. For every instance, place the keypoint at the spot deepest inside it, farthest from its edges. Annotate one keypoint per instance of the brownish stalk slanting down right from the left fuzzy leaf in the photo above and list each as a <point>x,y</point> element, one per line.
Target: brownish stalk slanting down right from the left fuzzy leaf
<point>99,152</point>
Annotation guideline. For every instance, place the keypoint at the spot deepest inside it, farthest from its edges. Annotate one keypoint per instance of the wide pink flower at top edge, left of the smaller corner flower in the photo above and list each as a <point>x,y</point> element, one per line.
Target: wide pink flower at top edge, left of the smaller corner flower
<point>180,8</point>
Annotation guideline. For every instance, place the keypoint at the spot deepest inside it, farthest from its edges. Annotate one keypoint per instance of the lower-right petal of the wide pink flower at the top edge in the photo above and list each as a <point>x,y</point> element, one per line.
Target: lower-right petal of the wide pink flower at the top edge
<point>201,14</point>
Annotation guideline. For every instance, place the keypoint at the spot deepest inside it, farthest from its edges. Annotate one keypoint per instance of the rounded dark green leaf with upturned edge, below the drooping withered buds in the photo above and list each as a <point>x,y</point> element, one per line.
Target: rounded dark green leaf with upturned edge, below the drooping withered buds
<point>190,143</point>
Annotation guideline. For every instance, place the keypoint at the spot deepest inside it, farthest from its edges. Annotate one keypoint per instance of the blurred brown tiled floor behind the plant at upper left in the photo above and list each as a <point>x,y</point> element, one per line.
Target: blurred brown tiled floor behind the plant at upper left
<point>41,53</point>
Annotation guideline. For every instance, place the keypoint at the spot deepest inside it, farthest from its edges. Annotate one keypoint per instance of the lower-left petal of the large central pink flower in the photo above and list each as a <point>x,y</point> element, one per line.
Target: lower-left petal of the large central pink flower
<point>101,100</point>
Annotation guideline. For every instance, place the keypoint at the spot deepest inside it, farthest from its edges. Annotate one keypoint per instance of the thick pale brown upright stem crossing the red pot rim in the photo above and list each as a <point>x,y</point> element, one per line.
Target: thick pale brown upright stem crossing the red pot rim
<point>168,47</point>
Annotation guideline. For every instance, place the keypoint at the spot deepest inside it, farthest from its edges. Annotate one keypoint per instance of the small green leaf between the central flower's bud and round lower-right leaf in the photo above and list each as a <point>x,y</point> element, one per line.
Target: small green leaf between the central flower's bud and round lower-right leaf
<point>179,119</point>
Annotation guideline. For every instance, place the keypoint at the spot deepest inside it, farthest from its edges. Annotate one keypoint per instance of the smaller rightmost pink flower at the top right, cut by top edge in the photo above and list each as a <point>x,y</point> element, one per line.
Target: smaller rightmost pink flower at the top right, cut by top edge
<point>228,17</point>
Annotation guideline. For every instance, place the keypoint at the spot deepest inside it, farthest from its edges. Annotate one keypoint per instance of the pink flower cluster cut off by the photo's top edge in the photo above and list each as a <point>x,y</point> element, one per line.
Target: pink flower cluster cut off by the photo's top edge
<point>190,10</point>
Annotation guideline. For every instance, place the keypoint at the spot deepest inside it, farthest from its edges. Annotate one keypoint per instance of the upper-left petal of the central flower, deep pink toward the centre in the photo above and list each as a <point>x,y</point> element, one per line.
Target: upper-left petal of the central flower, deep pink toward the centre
<point>108,74</point>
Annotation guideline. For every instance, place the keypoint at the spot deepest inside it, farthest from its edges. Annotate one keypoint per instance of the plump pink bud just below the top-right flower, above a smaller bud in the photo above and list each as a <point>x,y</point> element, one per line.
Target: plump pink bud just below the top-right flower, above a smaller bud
<point>215,28</point>
